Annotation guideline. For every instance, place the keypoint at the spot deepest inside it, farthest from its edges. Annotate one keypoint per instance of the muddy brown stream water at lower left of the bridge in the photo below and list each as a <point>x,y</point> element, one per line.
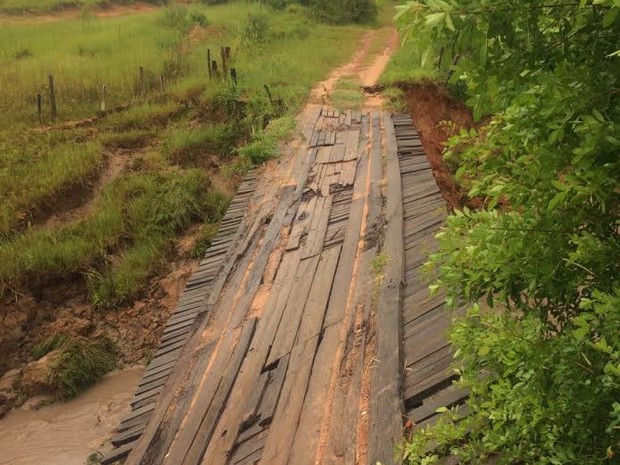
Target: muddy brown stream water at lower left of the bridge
<point>66,433</point>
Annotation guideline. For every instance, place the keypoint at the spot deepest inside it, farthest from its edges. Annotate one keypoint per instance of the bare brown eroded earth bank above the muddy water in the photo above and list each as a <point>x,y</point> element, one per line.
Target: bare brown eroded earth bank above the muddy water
<point>61,306</point>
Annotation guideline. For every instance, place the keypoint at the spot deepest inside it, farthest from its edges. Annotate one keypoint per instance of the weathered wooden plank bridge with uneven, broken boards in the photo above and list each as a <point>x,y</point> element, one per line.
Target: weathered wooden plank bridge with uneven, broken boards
<point>307,335</point>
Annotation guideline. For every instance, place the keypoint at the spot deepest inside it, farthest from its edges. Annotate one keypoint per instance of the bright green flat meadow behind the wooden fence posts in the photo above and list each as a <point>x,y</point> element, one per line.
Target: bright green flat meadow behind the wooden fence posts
<point>83,54</point>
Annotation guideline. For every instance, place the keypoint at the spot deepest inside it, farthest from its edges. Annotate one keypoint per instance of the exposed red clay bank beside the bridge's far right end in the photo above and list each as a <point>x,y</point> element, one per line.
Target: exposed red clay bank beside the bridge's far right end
<point>438,116</point>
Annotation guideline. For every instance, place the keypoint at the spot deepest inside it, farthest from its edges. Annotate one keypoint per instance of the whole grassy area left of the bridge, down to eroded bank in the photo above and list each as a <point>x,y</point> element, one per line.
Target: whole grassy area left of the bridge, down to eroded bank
<point>171,143</point>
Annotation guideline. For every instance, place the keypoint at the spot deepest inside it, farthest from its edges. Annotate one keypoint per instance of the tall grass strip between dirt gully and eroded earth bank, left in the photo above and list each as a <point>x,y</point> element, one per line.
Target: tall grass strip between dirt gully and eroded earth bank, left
<point>133,210</point>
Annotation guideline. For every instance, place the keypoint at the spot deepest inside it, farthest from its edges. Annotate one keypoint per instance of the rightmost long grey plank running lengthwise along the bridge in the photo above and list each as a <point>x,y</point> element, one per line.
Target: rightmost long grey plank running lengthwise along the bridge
<point>385,410</point>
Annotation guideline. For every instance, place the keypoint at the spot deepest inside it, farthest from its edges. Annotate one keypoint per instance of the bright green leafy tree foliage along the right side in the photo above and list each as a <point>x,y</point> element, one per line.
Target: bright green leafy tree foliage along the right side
<point>539,265</point>
